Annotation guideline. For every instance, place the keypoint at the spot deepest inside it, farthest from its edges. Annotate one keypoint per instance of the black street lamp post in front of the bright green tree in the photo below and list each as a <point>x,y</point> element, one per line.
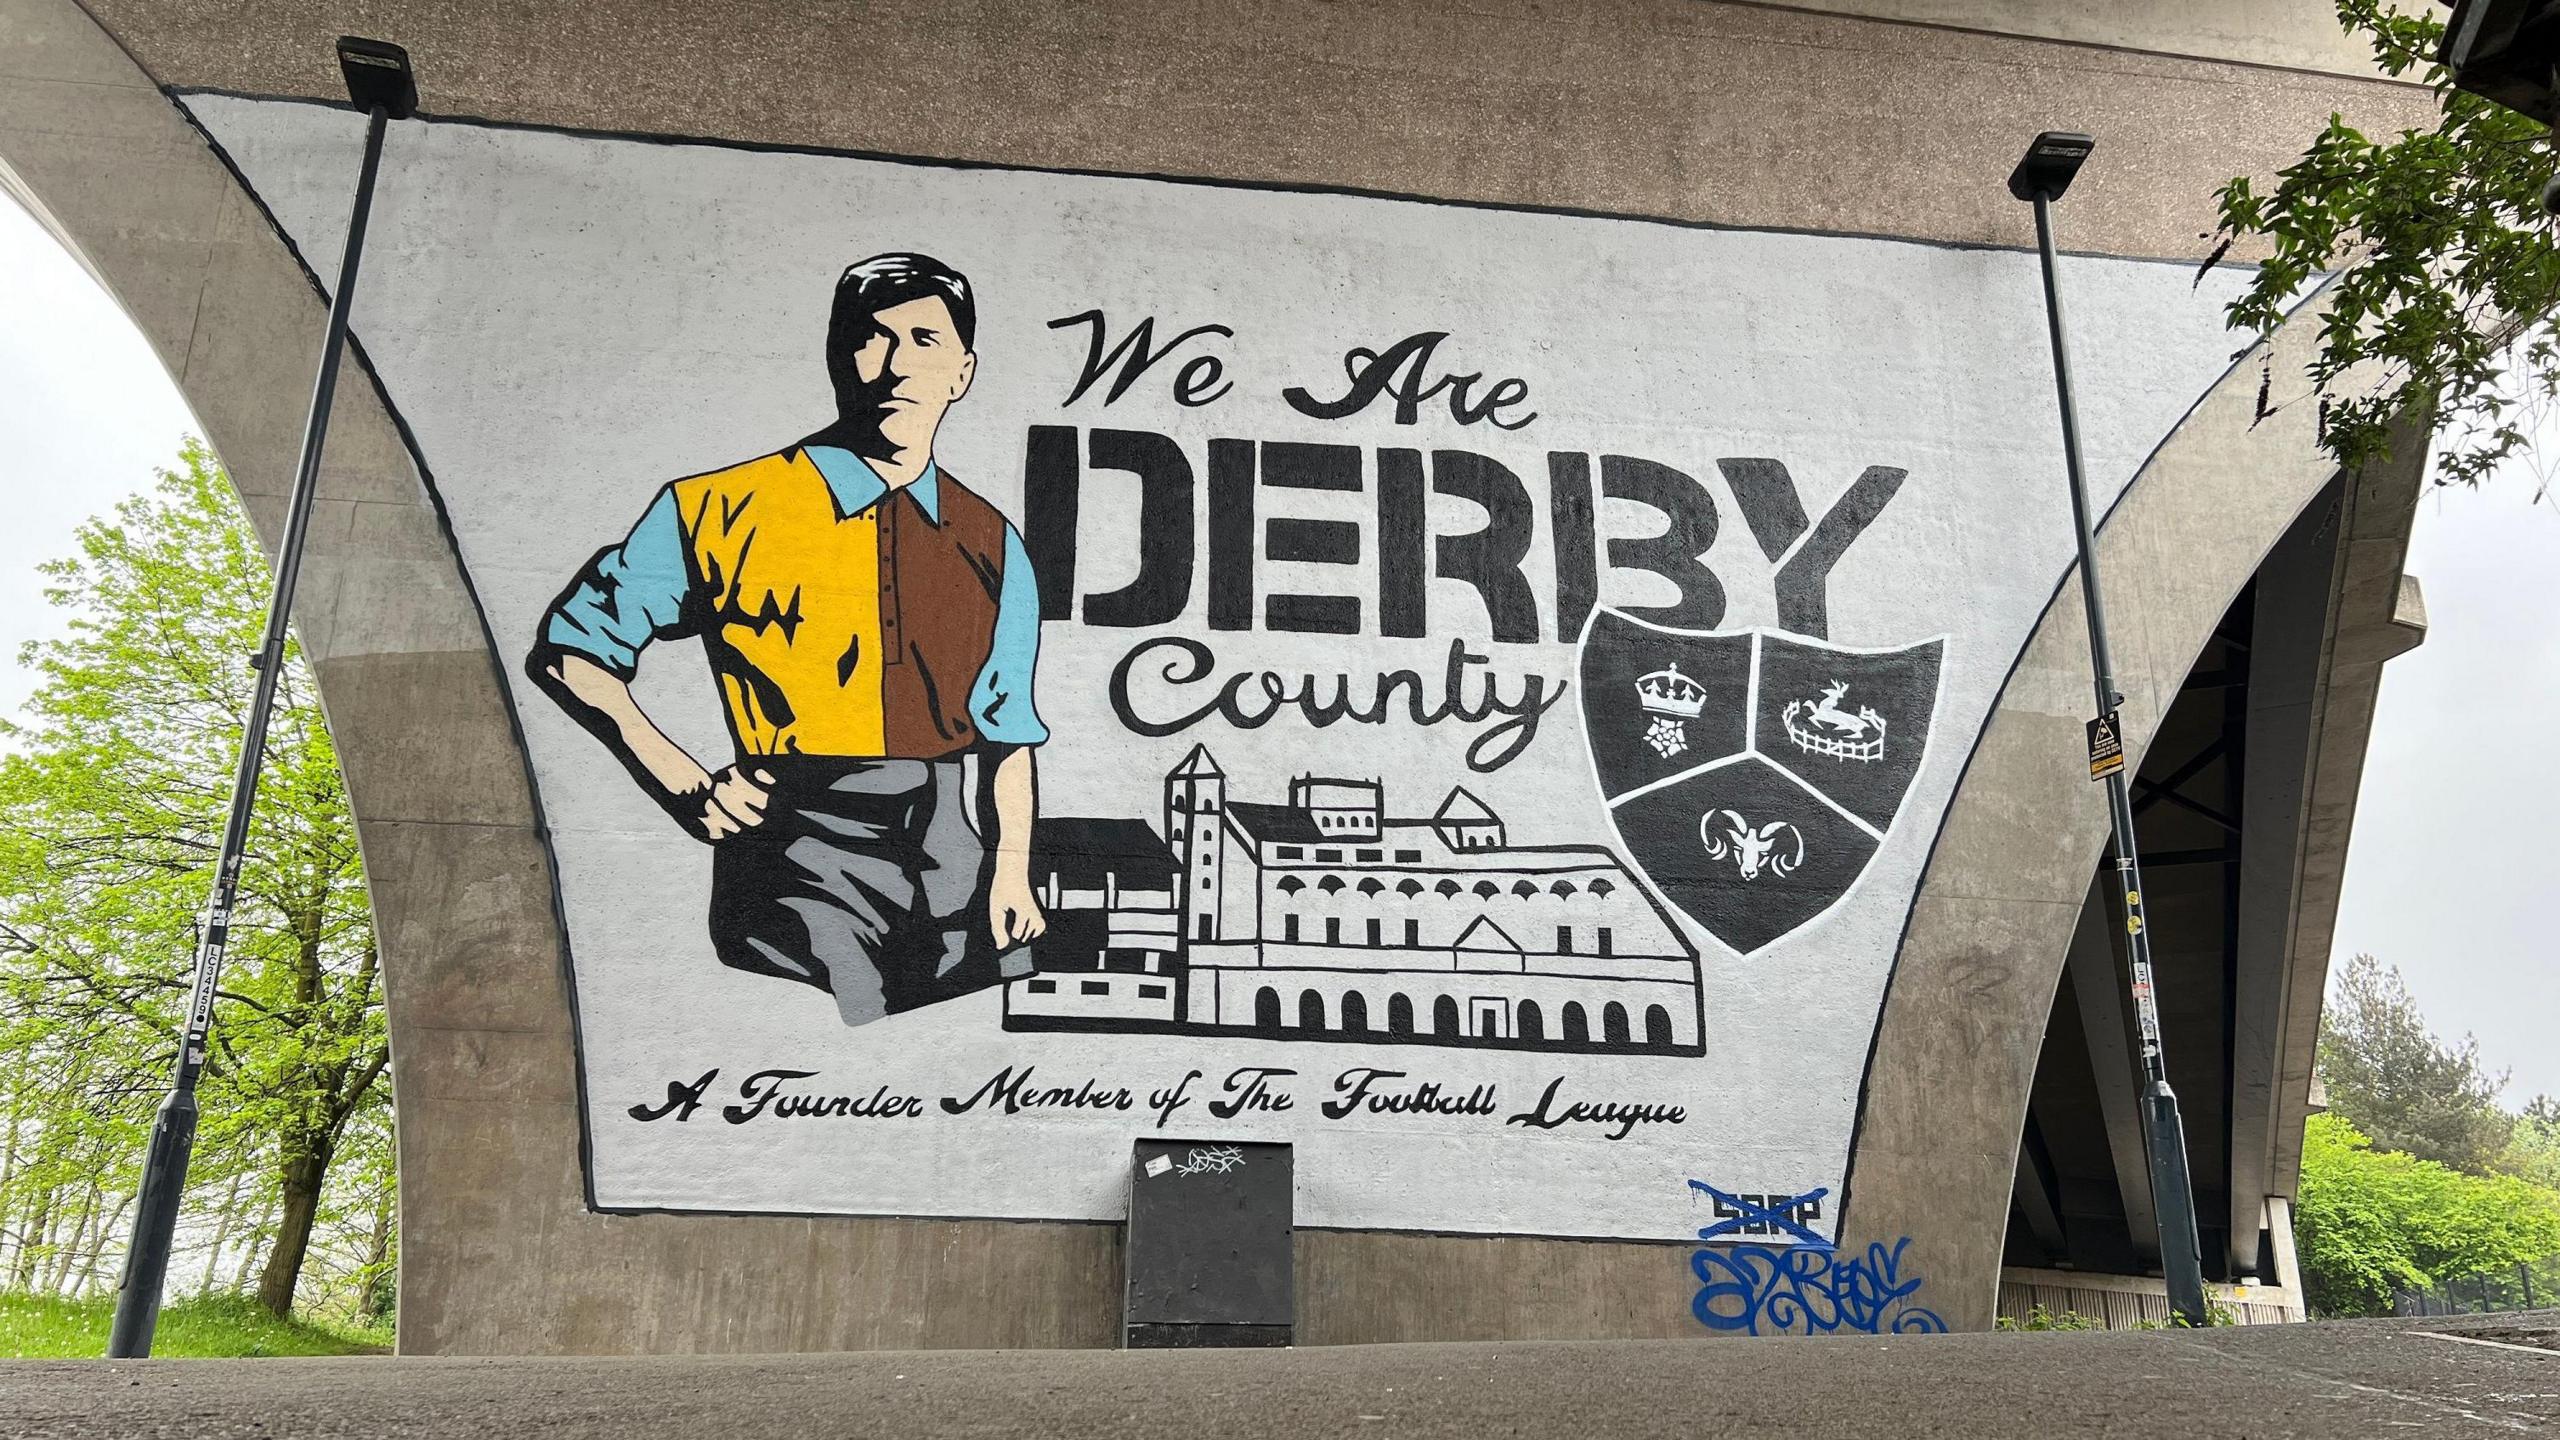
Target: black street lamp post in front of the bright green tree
<point>380,83</point>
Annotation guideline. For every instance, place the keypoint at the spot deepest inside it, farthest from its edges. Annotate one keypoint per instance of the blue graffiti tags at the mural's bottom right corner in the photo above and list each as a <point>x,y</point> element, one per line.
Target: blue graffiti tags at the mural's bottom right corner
<point>1804,1288</point>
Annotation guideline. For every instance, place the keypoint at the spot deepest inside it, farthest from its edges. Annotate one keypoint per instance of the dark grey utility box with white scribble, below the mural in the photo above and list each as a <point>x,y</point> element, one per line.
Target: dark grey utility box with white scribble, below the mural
<point>1210,1247</point>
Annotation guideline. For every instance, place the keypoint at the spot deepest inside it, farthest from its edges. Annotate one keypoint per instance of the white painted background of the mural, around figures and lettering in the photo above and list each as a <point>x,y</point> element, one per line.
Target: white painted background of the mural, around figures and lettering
<point>572,322</point>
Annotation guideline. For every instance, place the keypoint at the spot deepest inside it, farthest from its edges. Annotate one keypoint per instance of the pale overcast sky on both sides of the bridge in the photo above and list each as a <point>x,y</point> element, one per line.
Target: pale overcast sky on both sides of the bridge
<point>2451,865</point>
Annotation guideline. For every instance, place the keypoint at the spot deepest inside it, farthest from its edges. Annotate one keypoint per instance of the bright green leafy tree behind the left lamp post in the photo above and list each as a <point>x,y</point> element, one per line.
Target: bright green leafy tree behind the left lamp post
<point>116,788</point>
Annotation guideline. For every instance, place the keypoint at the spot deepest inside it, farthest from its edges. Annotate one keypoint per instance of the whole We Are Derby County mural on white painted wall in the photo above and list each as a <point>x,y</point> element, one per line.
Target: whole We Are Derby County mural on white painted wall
<point>1018,662</point>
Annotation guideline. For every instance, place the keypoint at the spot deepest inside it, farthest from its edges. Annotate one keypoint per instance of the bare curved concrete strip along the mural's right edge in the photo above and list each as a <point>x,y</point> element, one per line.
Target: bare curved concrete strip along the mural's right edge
<point>2006,883</point>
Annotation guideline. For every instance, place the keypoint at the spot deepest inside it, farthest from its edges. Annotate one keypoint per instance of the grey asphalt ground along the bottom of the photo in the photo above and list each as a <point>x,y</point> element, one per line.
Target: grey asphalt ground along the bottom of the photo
<point>2492,1375</point>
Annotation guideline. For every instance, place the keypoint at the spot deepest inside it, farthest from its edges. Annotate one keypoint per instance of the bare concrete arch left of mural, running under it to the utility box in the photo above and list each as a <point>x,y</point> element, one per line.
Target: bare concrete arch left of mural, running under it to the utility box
<point>490,1144</point>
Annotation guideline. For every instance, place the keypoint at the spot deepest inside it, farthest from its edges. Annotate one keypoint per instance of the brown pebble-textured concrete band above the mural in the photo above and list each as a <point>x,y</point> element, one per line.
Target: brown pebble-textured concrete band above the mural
<point>1734,114</point>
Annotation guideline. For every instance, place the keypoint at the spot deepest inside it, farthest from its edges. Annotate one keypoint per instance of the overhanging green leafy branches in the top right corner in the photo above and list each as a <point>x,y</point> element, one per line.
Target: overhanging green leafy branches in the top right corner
<point>2454,263</point>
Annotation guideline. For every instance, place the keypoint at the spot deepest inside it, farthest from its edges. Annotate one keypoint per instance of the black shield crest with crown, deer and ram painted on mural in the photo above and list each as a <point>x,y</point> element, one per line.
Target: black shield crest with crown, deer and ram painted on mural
<point>1752,775</point>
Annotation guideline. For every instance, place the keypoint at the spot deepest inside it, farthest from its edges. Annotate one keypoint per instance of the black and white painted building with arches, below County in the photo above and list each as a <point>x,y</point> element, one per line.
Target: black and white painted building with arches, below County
<point>1335,919</point>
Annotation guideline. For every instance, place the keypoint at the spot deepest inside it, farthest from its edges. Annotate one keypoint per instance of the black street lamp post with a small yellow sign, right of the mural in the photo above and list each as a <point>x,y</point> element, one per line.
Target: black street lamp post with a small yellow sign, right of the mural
<point>2042,178</point>
